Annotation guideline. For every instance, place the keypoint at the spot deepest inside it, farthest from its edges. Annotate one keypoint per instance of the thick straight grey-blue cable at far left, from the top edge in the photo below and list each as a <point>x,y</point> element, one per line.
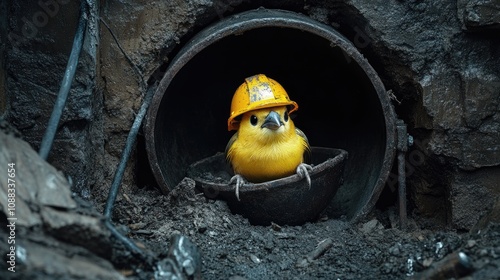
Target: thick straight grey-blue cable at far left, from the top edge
<point>69,74</point>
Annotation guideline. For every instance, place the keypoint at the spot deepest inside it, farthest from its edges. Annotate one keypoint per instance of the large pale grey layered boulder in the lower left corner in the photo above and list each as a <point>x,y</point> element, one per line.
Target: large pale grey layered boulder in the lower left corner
<point>45,210</point>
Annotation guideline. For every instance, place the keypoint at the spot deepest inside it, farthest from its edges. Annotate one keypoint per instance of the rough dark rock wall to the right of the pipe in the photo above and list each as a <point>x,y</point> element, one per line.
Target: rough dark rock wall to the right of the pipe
<point>452,105</point>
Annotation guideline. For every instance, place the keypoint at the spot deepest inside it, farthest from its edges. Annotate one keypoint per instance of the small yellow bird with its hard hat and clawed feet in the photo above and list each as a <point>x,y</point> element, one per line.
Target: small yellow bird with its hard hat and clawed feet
<point>267,145</point>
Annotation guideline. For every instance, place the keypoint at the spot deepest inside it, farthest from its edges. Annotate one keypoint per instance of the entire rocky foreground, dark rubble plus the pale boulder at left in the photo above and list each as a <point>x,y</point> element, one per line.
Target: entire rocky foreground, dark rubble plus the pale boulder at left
<point>70,241</point>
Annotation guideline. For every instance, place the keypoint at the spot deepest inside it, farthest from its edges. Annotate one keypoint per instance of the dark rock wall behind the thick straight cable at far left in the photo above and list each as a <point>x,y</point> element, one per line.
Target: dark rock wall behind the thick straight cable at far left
<point>39,38</point>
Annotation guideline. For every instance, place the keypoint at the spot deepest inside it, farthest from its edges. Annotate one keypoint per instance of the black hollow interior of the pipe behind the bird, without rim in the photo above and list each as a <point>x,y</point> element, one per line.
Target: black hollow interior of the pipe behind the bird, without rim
<point>338,105</point>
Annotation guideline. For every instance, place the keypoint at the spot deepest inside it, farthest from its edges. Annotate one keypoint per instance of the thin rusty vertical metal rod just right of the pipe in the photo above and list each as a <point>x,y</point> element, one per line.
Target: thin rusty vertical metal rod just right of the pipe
<point>403,141</point>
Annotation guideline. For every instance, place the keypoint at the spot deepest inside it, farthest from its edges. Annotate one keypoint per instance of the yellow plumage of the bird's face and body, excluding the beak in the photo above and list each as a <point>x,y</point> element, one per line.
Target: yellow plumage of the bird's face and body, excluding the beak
<point>260,154</point>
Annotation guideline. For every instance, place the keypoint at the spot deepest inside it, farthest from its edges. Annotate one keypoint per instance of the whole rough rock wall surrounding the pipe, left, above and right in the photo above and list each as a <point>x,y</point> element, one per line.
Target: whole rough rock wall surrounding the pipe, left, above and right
<point>440,59</point>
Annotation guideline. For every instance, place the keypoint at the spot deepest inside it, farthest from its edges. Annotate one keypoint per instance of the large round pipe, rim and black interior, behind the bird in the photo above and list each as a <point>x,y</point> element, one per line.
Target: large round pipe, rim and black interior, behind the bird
<point>343,103</point>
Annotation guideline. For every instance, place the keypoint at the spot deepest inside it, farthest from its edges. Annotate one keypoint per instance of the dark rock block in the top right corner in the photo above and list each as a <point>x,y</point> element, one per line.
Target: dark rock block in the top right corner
<point>479,15</point>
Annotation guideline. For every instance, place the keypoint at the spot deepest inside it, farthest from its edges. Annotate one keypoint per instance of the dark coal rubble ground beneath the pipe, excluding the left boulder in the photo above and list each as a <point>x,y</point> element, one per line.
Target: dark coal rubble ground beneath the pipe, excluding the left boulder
<point>375,248</point>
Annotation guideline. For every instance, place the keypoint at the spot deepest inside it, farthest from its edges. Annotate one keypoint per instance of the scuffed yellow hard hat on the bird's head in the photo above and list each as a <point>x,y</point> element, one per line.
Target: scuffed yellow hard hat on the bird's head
<point>257,92</point>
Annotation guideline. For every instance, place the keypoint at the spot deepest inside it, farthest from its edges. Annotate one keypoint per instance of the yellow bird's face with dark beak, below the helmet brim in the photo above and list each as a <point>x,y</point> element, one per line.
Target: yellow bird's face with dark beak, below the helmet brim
<point>267,124</point>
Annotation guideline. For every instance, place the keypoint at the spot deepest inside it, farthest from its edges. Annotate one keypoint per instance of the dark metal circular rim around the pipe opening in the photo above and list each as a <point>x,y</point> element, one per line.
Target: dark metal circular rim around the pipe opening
<point>261,18</point>
